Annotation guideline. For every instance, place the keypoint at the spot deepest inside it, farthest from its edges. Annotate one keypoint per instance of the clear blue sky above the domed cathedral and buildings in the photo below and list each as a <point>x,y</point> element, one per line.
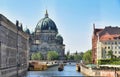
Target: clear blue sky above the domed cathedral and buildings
<point>74,18</point>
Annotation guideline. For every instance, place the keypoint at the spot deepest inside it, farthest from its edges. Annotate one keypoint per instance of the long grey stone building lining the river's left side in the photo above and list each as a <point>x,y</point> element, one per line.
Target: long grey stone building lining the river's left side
<point>13,48</point>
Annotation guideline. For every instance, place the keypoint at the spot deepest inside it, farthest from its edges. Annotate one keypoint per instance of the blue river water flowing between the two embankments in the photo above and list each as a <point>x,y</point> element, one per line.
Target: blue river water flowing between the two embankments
<point>69,70</point>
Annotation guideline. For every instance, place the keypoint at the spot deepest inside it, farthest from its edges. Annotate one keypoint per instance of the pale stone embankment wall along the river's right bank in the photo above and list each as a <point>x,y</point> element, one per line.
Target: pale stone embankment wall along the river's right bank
<point>92,72</point>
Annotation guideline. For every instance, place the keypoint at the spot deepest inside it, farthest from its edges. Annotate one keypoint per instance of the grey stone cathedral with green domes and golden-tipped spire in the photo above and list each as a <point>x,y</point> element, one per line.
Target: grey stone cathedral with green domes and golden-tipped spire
<point>46,38</point>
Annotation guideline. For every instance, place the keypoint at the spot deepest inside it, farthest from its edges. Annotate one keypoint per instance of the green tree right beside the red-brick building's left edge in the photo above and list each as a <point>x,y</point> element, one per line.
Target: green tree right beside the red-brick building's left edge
<point>87,57</point>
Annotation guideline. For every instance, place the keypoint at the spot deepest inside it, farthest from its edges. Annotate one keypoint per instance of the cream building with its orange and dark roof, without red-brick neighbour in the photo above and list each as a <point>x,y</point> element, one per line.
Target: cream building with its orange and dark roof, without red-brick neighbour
<point>108,39</point>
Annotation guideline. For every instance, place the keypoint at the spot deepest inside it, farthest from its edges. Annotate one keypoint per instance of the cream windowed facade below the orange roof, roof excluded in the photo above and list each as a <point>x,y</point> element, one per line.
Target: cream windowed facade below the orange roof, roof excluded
<point>108,45</point>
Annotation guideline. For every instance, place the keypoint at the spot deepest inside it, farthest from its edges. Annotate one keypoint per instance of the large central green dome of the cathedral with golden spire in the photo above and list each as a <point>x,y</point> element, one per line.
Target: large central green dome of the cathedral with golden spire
<point>46,24</point>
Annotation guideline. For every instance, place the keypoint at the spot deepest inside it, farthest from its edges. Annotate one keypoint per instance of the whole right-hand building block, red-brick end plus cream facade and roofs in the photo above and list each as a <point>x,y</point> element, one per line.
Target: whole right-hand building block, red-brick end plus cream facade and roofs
<point>105,40</point>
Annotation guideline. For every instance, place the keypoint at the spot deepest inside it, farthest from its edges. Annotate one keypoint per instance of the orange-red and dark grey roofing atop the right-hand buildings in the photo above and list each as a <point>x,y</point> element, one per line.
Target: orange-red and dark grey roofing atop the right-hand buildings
<point>108,33</point>
